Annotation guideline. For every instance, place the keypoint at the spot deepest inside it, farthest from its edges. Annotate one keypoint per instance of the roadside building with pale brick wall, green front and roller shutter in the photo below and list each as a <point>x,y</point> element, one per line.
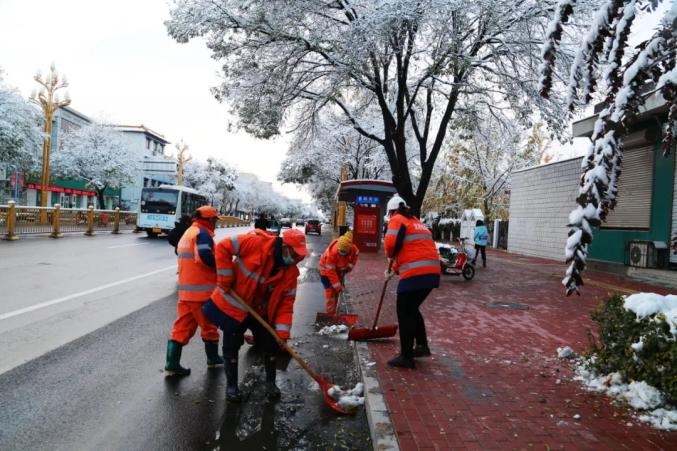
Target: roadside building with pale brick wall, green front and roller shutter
<point>640,231</point>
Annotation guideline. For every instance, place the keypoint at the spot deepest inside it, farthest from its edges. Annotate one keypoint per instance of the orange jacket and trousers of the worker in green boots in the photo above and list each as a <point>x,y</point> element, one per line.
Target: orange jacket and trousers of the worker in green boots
<point>196,282</point>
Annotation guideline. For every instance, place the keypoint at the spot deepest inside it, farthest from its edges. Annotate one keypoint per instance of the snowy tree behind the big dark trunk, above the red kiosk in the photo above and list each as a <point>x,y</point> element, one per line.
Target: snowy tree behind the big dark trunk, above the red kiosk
<point>317,154</point>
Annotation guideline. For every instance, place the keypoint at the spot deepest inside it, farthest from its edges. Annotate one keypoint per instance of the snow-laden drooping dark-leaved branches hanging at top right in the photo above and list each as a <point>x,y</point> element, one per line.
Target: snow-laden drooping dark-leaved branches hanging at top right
<point>629,74</point>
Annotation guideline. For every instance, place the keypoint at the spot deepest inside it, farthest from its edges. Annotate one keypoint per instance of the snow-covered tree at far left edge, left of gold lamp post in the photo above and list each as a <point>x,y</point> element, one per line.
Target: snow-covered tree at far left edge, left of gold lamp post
<point>21,133</point>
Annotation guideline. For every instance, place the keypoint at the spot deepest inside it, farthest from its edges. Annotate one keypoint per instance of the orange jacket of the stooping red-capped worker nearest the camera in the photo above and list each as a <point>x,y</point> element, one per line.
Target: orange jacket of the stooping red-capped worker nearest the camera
<point>243,264</point>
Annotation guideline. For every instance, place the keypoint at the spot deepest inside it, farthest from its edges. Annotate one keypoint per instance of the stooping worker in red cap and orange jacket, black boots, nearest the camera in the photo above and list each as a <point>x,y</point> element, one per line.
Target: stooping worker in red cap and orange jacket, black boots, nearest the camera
<point>261,268</point>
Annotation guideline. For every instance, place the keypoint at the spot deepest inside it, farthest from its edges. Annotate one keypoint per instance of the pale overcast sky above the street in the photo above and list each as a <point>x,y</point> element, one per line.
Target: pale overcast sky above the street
<point>122,65</point>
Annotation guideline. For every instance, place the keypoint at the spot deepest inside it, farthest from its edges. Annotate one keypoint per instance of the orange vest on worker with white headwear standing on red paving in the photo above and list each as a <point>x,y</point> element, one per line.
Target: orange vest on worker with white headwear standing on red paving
<point>418,255</point>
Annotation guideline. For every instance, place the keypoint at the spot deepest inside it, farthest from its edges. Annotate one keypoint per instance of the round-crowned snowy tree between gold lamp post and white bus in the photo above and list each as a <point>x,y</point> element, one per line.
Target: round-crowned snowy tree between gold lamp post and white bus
<point>97,154</point>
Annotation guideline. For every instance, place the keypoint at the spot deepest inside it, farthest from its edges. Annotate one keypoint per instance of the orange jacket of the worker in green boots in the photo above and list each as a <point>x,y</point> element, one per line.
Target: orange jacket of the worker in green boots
<point>196,280</point>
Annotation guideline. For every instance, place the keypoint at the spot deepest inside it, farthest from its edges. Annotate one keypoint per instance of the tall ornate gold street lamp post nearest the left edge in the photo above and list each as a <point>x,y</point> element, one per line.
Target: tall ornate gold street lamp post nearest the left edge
<point>48,100</point>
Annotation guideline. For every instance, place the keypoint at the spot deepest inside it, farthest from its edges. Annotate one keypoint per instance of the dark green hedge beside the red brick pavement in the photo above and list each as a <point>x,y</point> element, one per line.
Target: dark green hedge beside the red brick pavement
<point>655,363</point>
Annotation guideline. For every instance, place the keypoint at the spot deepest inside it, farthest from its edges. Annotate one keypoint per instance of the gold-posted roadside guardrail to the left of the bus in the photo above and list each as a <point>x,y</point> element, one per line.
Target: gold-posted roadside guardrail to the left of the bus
<point>22,220</point>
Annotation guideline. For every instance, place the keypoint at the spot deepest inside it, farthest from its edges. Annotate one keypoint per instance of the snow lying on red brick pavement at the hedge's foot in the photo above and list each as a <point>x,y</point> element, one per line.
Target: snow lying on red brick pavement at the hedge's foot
<point>639,395</point>
